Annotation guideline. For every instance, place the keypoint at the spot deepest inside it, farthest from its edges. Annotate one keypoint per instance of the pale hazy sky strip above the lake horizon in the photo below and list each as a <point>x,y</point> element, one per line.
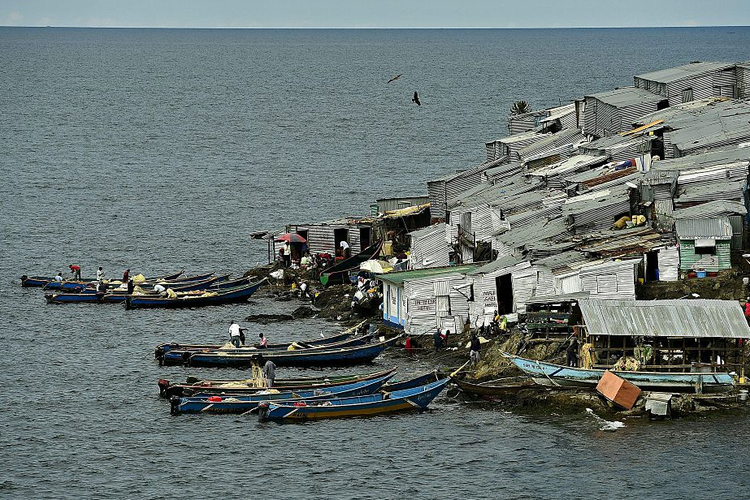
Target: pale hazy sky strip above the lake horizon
<point>374,13</point>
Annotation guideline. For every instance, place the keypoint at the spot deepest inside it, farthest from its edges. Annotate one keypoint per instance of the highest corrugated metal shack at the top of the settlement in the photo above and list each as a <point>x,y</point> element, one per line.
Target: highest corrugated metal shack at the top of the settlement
<point>689,82</point>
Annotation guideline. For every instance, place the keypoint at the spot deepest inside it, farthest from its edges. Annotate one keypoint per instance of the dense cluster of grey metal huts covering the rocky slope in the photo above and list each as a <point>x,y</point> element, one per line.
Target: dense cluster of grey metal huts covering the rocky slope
<point>641,183</point>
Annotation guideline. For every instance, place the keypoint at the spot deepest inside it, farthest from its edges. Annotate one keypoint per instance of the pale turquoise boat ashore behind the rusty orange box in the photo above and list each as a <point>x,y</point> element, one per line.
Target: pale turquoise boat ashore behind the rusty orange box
<point>552,375</point>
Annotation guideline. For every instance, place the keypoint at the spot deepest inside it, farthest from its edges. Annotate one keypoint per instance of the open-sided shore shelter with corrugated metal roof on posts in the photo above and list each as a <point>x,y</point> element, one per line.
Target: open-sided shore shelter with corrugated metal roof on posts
<point>666,335</point>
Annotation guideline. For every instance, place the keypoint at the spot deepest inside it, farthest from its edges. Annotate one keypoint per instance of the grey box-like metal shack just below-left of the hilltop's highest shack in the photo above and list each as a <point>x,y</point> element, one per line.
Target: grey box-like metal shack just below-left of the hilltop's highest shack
<point>607,113</point>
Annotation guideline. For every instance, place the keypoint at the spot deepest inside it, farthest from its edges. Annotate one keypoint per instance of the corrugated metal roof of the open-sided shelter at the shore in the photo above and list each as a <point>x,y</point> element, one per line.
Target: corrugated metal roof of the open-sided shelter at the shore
<point>665,318</point>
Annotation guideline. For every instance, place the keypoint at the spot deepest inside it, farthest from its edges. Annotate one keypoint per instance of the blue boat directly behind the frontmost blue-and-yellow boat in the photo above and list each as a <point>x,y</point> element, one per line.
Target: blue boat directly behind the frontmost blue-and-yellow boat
<point>208,403</point>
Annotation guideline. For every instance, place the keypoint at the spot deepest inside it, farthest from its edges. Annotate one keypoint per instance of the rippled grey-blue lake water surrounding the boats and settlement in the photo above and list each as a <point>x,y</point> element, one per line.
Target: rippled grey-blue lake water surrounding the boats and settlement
<point>162,149</point>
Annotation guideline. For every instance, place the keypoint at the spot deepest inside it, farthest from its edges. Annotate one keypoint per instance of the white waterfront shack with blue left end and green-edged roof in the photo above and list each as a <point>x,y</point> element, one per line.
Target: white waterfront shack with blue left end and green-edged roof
<point>421,300</point>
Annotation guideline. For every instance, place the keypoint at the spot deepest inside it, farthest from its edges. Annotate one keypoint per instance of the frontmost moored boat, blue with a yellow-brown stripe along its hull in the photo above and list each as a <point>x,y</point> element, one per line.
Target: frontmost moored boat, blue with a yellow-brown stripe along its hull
<point>416,398</point>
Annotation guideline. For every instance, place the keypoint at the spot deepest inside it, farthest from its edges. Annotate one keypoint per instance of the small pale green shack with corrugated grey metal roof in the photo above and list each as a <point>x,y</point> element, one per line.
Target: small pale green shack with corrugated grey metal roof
<point>704,244</point>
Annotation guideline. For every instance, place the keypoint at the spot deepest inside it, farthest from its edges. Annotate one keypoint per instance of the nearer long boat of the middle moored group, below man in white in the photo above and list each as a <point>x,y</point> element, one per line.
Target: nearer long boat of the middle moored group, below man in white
<point>344,356</point>
